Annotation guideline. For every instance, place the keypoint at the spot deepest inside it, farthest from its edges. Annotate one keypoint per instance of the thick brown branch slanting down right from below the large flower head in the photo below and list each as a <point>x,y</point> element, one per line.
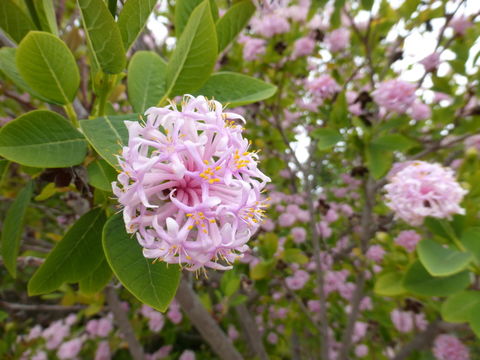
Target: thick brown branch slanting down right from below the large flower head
<point>205,324</point>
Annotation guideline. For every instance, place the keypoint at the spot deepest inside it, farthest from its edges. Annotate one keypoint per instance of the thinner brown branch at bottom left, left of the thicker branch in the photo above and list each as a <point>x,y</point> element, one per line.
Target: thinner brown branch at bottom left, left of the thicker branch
<point>121,319</point>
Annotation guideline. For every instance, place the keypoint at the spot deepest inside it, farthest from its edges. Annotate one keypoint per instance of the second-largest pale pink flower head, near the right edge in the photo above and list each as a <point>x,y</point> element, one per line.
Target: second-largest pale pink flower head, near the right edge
<point>423,189</point>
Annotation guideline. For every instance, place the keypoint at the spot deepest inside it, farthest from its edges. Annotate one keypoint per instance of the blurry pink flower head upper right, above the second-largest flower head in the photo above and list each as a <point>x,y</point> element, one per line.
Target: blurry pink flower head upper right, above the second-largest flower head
<point>395,95</point>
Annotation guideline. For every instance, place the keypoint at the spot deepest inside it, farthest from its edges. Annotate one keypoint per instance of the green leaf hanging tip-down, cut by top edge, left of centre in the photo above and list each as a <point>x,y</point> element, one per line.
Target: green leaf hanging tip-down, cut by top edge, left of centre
<point>103,36</point>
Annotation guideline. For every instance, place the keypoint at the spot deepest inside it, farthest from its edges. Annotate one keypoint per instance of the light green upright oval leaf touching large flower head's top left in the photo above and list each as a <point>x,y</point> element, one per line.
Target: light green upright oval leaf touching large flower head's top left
<point>146,80</point>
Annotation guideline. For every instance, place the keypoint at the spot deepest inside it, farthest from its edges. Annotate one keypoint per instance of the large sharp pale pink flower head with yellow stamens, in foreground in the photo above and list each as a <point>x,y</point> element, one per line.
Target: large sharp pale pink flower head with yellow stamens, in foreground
<point>190,187</point>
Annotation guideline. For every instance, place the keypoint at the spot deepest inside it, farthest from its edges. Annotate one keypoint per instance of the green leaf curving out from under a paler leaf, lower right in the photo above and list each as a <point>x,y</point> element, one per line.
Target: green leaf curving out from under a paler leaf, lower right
<point>418,281</point>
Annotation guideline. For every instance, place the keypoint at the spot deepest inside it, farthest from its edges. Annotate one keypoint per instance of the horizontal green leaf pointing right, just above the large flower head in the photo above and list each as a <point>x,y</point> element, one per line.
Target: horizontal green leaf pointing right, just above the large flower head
<point>236,89</point>
